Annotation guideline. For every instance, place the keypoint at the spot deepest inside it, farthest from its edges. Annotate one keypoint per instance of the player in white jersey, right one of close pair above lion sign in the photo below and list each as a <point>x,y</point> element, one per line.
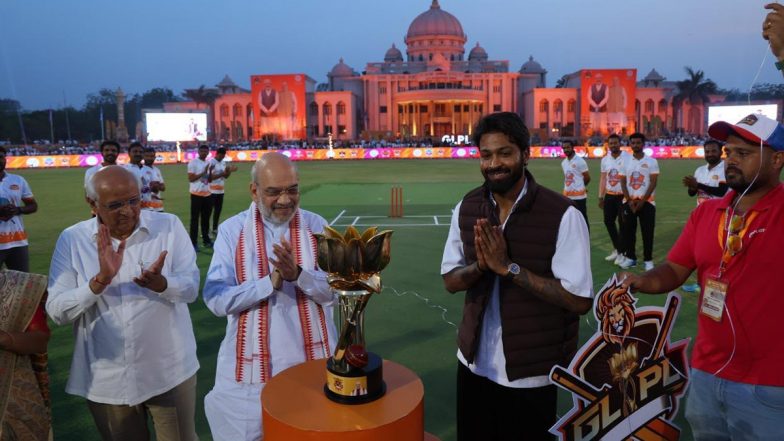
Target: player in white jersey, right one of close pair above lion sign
<point>638,181</point>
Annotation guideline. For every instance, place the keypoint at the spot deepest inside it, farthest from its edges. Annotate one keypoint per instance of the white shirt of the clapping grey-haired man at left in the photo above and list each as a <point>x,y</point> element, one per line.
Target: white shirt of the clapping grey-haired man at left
<point>130,343</point>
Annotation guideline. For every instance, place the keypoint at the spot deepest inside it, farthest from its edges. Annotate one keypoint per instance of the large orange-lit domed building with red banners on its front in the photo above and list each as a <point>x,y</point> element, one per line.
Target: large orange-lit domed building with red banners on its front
<point>434,89</point>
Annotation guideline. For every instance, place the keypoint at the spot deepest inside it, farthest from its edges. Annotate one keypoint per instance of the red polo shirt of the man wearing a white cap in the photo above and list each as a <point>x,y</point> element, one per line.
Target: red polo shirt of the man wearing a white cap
<point>755,299</point>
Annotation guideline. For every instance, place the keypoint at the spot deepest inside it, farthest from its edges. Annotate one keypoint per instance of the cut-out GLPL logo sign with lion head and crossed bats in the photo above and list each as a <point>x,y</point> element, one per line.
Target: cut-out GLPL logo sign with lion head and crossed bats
<point>627,379</point>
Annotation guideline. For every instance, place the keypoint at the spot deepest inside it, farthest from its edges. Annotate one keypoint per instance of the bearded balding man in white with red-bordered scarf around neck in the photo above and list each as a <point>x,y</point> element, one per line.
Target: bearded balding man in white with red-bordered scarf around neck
<point>264,279</point>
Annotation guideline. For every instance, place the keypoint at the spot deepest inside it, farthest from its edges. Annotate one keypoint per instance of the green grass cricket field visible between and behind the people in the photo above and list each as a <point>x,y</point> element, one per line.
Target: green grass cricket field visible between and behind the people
<point>413,321</point>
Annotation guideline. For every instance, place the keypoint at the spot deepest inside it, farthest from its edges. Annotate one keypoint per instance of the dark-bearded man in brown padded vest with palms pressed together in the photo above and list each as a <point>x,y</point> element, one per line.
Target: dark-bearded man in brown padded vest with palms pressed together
<point>521,252</point>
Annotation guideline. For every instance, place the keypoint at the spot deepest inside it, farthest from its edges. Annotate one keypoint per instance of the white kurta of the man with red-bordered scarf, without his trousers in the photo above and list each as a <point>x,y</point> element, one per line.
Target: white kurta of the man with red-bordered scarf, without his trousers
<point>225,298</point>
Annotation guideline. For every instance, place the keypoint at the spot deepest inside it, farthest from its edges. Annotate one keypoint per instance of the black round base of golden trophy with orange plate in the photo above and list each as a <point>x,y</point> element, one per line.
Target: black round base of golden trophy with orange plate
<point>359,385</point>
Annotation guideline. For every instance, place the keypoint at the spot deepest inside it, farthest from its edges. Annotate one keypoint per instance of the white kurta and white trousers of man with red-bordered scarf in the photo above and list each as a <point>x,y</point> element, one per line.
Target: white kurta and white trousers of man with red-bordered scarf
<point>233,407</point>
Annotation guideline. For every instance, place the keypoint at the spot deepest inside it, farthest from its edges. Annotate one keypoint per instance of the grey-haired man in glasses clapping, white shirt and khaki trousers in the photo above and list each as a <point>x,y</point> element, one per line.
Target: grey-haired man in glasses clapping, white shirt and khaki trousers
<point>124,279</point>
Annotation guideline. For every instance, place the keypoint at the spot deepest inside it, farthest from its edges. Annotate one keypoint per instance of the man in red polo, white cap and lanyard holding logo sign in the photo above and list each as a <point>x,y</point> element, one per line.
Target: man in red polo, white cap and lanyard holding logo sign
<point>737,385</point>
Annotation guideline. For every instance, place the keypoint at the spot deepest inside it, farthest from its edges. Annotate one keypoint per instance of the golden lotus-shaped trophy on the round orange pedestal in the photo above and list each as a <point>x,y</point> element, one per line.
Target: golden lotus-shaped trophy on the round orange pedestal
<point>353,263</point>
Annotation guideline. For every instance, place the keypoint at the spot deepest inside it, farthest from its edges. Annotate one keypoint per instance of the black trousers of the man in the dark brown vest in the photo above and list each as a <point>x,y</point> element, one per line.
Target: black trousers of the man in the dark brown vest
<point>487,411</point>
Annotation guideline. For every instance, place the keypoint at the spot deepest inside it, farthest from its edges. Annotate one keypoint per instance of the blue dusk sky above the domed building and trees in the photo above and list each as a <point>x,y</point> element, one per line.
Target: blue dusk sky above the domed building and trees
<point>54,50</point>
